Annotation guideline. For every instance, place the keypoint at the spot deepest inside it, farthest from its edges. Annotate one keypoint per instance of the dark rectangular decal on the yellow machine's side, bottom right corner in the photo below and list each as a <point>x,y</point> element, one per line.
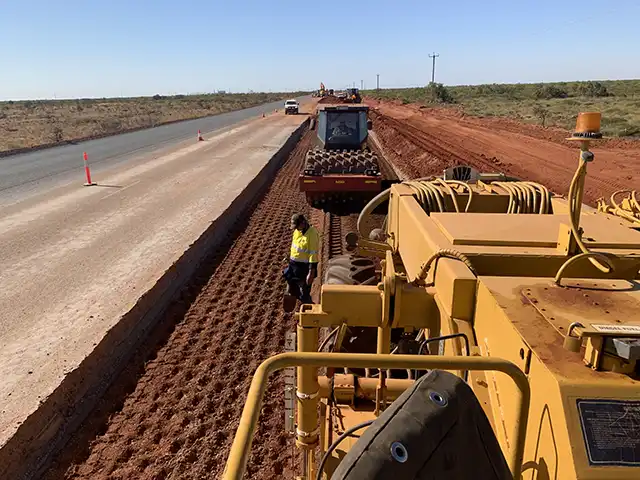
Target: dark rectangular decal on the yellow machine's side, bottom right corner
<point>611,431</point>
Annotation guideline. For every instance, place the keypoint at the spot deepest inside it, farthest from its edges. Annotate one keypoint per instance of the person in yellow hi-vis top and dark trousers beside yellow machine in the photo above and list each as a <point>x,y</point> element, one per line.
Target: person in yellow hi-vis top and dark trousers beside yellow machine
<point>303,262</point>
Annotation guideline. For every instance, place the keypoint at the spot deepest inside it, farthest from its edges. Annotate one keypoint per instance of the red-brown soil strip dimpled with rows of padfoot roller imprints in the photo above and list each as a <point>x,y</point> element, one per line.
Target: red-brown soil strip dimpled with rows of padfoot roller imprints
<point>180,418</point>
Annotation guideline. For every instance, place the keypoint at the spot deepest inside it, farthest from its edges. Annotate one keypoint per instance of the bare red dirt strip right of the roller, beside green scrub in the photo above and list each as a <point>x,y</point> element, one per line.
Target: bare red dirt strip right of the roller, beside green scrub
<point>424,141</point>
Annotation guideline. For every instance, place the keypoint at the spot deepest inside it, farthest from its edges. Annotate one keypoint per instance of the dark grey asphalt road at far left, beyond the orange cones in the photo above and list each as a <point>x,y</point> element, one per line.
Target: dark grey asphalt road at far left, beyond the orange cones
<point>28,173</point>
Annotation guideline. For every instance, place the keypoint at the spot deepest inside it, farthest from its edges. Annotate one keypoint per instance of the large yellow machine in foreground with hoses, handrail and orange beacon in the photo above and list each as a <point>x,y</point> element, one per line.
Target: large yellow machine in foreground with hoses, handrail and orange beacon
<point>489,329</point>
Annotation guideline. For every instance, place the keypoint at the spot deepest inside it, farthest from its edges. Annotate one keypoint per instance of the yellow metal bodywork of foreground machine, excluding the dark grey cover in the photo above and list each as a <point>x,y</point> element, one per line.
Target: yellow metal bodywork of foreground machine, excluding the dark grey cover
<point>541,288</point>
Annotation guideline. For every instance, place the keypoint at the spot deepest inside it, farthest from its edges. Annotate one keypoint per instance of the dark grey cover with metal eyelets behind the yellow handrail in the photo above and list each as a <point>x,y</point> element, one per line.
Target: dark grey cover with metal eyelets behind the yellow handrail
<point>440,425</point>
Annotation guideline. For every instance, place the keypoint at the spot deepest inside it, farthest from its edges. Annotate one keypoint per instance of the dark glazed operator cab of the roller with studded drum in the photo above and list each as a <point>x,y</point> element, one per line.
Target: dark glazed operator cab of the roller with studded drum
<point>342,127</point>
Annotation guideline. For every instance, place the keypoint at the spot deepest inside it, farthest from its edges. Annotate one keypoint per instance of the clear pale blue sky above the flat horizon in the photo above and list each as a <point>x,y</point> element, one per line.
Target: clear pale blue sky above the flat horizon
<point>73,48</point>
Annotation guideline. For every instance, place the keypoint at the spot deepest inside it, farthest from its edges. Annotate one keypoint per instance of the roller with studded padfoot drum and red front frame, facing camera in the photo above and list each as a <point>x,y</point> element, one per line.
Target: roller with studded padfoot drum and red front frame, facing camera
<point>341,169</point>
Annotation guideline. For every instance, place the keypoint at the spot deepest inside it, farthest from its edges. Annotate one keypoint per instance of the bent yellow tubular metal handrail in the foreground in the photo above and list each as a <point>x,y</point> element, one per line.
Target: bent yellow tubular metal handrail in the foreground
<point>241,446</point>
